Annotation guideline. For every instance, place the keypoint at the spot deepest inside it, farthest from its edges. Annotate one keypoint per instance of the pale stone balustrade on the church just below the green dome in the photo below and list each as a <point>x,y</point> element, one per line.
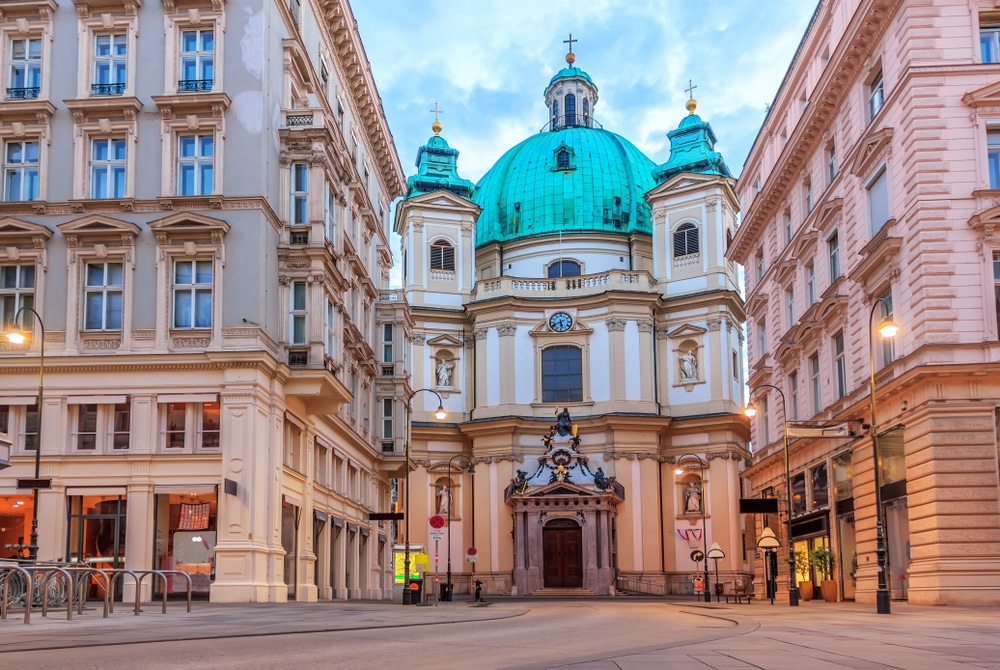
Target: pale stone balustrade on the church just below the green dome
<point>615,280</point>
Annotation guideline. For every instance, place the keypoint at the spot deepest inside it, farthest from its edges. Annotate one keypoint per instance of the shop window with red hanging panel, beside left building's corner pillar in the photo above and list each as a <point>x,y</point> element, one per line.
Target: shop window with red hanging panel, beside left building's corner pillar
<point>184,536</point>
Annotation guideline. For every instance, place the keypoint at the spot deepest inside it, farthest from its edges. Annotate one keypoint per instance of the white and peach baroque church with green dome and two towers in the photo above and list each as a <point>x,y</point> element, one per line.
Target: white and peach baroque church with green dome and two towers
<point>575,316</point>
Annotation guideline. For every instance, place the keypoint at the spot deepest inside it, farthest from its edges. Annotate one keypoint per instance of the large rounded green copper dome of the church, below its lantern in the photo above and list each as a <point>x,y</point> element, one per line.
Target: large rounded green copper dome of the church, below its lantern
<point>573,180</point>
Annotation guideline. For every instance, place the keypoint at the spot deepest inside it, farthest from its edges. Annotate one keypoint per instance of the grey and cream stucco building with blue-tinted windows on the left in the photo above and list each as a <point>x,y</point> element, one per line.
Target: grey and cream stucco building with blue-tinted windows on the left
<point>195,203</point>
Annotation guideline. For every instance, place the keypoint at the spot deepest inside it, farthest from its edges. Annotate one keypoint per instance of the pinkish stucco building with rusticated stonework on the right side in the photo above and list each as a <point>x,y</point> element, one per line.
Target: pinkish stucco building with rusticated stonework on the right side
<point>871,193</point>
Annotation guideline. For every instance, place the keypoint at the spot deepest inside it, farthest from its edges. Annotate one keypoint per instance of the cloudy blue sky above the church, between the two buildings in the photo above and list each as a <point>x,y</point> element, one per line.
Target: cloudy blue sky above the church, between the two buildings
<point>487,62</point>
